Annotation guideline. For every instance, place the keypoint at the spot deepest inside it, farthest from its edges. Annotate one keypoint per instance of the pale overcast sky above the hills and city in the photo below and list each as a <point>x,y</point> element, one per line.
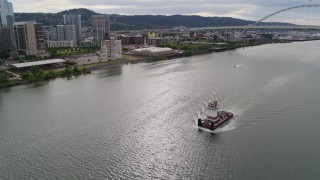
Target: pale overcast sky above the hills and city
<point>245,9</point>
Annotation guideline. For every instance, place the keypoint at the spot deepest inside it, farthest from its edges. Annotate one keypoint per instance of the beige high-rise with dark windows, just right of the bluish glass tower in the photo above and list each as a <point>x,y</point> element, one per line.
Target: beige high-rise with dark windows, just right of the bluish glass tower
<point>29,38</point>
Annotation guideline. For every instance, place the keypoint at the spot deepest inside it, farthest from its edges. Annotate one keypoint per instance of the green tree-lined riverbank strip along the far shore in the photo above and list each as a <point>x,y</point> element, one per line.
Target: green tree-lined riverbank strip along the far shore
<point>37,74</point>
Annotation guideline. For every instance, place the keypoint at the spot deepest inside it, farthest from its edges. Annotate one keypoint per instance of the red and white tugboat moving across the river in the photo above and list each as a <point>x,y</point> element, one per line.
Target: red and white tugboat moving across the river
<point>214,117</point>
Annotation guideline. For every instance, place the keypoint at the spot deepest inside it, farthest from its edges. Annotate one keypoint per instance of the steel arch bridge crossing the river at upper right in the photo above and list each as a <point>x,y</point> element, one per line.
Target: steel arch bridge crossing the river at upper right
<point>242,30</point>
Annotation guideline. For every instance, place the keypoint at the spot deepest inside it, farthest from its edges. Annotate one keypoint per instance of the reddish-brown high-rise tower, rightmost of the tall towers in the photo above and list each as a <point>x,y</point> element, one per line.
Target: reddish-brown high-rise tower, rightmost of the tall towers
<point>100,27</point>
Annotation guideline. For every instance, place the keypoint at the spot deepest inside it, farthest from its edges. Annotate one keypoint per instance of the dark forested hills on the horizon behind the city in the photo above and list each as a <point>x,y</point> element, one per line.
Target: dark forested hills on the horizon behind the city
<point>121,22</point>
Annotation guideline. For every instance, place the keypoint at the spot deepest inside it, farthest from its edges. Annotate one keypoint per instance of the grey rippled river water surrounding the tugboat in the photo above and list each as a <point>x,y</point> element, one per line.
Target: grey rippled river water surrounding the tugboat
<point>138,121</point>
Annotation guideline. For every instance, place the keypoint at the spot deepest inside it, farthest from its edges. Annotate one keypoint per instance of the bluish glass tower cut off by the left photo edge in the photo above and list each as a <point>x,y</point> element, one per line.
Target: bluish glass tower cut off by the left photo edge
<point>6,23</point>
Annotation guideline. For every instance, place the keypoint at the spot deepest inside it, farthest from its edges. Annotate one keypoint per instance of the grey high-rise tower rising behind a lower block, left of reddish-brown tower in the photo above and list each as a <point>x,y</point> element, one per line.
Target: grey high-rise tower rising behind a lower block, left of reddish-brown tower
<point>74,19</point>
